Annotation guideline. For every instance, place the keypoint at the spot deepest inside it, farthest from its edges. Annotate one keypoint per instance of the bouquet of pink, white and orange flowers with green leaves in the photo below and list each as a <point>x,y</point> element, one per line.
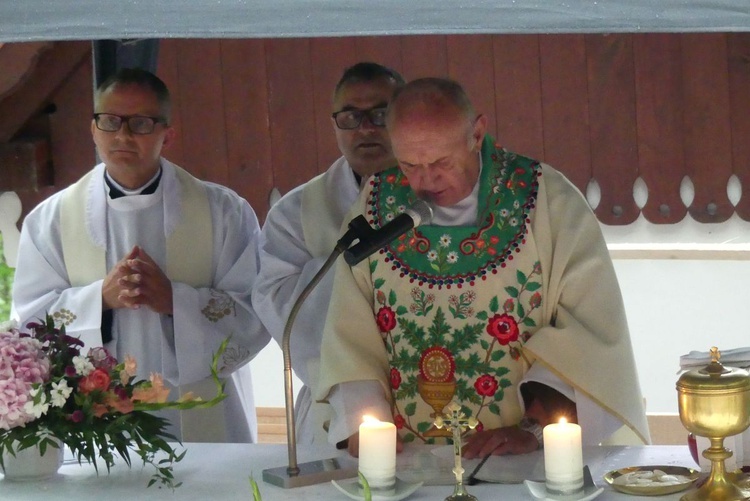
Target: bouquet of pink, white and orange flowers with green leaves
<point>50,391</point>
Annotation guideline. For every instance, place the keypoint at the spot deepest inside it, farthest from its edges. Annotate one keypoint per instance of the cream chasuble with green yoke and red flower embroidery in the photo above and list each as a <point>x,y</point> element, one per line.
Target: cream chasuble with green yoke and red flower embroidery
<point>460,313</point>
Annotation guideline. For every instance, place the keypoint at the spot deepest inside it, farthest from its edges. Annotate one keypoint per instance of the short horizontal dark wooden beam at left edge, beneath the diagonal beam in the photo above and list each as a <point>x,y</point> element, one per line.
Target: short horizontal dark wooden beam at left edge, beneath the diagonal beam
<point>25,165</point>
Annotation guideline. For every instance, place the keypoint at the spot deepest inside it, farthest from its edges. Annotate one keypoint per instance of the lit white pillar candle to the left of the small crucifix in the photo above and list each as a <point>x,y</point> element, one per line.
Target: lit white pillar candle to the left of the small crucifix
<point>377,453</point>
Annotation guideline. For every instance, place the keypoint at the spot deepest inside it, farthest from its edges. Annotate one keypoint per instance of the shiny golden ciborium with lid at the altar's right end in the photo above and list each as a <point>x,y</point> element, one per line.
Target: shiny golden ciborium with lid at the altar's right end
<point>714,402</point>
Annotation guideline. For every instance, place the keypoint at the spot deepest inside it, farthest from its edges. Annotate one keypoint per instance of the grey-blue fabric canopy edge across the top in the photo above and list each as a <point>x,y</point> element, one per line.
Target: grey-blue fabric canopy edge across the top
<point>27,20</point>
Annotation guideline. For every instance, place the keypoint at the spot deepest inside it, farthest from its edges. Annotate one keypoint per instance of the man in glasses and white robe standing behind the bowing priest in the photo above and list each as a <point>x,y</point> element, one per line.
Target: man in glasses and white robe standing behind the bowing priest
<point>302,228</point>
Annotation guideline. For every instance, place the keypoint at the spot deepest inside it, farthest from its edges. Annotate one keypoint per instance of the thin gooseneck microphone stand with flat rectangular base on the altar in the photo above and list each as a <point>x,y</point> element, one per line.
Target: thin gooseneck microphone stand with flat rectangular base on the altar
<point>325,470</point>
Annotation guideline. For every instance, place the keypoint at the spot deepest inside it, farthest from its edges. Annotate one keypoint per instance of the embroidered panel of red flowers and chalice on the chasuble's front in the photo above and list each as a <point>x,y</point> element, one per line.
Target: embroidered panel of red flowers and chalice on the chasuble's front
<point>436,363</point>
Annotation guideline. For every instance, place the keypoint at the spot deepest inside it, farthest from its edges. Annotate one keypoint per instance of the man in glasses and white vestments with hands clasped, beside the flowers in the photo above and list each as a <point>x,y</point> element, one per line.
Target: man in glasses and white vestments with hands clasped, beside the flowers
<point>142,258</point>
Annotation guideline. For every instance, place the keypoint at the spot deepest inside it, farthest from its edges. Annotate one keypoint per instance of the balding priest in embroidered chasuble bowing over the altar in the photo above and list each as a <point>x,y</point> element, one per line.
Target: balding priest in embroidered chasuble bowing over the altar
<point>511,284</point>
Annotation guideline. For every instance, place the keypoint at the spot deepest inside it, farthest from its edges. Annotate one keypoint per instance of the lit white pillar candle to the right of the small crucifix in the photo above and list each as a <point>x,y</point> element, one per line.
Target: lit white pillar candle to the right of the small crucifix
<point>563,457</point>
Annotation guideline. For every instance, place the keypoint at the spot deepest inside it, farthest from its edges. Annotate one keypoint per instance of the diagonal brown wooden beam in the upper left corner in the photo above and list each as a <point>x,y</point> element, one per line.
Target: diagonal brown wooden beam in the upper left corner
<point>52,70</point>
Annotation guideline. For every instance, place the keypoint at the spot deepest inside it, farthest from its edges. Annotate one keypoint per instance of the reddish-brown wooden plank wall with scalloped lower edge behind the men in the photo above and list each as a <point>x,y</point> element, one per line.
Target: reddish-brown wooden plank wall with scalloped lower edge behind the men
<point>254,114</point>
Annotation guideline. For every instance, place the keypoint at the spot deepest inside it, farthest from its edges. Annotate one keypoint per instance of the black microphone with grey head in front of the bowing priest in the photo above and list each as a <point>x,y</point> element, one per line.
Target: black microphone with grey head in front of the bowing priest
<point>371,240</point>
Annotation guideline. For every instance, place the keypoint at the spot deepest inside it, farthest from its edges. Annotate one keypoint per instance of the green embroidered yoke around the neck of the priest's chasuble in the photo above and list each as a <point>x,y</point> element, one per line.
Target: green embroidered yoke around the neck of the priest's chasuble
<point>508,187</point>
